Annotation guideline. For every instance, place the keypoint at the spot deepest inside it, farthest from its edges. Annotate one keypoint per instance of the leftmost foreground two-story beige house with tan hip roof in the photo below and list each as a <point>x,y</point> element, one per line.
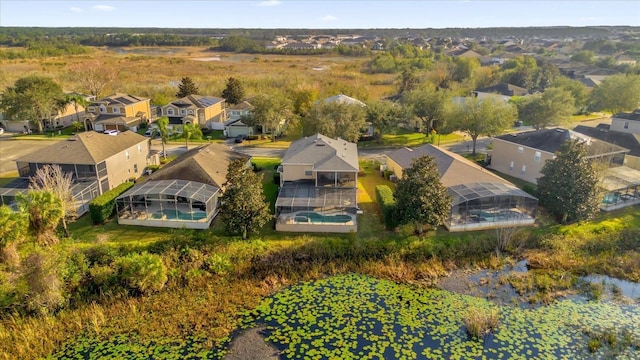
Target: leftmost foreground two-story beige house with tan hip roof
<point>97,162</point>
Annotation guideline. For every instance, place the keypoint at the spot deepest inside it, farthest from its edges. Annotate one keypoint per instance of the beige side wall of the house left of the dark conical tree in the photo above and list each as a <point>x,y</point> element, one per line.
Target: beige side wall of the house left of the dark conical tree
<point>504,153</point>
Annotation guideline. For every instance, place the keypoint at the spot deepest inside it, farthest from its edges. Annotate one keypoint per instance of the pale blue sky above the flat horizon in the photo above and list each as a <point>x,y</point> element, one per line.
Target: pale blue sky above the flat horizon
<point>345,14</point>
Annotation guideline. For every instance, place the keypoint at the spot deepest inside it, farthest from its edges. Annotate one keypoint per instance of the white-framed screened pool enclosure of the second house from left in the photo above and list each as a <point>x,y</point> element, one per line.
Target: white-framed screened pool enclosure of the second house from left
<point>169,203</point>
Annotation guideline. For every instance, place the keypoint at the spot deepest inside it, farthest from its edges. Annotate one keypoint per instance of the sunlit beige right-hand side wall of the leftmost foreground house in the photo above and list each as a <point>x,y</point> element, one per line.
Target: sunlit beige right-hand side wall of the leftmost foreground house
<point>121,169</point>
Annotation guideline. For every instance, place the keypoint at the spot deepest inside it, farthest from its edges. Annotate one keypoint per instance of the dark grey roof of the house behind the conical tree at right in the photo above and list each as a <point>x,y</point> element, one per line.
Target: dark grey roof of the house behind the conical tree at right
<point>550,140</point>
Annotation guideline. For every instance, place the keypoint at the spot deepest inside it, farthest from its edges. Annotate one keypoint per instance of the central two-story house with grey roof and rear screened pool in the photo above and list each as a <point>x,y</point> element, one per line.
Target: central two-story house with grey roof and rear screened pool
<point>318,186</point>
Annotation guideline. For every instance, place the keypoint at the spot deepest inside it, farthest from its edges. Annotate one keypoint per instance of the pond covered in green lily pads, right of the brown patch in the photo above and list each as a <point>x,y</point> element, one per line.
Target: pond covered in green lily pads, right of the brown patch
<point>359,317</point>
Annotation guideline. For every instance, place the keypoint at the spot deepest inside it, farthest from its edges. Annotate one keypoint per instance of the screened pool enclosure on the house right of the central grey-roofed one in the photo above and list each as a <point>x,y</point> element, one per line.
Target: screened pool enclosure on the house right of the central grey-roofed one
<point>486,205</point>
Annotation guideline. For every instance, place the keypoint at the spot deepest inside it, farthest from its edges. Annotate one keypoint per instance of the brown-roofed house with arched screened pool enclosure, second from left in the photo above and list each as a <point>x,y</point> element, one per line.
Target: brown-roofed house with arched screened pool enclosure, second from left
<point>183,194</point>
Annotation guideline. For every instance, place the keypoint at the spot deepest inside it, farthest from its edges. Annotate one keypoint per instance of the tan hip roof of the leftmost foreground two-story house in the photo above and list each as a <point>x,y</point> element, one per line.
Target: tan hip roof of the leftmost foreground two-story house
<point>87,148</point>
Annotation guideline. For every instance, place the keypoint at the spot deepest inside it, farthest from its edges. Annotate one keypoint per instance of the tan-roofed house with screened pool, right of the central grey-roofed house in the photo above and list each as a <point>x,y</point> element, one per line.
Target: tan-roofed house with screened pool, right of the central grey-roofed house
<point>481,199</point>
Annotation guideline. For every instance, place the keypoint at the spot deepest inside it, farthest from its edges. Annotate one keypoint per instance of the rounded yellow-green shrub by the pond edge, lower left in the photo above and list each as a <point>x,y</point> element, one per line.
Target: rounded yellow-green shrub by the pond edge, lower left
<point>143,273</point>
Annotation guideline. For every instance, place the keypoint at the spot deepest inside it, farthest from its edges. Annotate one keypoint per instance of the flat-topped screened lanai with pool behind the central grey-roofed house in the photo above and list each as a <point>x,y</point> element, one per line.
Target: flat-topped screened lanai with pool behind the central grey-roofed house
<point>301,206</point>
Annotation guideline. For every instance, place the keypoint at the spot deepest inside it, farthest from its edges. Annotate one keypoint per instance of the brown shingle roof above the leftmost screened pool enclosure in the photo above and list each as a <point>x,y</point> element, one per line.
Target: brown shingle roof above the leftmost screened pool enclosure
<point>206,164</point>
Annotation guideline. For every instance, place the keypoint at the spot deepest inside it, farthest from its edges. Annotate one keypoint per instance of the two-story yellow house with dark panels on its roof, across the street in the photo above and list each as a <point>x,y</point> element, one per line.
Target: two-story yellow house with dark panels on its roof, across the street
<point>206,111</point>
